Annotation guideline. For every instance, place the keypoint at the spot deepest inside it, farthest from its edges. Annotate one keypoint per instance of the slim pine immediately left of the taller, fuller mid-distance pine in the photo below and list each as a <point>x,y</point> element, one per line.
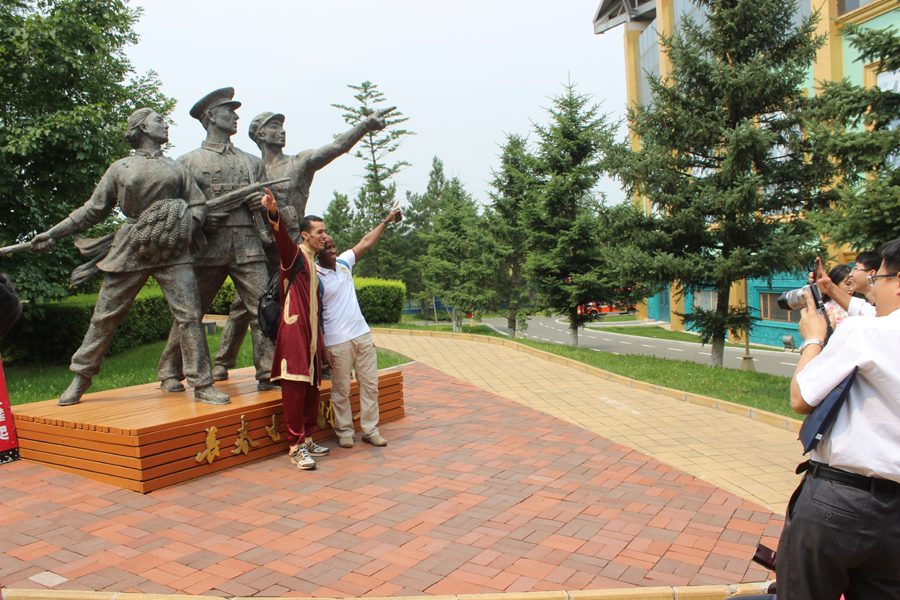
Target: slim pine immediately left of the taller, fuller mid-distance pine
<point>512,184</point>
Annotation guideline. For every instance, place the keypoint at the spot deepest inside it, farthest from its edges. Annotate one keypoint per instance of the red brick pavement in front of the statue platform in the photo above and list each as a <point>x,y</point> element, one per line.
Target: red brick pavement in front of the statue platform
<point>475,493</point>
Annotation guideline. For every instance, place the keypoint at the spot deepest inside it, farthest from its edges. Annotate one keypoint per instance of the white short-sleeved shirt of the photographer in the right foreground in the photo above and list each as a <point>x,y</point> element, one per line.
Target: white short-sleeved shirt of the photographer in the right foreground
<point>865,437</point>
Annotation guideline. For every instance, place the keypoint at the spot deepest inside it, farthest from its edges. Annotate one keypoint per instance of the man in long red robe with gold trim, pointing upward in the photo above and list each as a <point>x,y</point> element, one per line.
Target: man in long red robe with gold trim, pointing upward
<point>300,347</point>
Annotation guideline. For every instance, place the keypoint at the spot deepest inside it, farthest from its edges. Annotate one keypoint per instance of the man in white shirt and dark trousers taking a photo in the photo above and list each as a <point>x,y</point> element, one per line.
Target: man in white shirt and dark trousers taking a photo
<point>842,529</point>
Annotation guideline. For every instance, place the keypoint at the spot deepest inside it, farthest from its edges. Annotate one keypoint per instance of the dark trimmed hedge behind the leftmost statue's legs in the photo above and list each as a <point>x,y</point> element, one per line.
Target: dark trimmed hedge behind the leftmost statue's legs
<point>51,333</point>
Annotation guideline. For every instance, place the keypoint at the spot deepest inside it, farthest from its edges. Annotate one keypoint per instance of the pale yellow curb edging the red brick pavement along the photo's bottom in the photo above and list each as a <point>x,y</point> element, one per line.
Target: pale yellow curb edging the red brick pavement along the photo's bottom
<point>700,592</point>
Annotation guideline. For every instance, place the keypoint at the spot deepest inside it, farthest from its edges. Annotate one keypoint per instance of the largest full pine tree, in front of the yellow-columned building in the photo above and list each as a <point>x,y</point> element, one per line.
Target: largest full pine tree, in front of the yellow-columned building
<point>724,158</point>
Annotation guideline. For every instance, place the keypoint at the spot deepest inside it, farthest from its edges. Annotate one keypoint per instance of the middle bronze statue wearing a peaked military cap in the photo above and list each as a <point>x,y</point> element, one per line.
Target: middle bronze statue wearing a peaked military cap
<point>234,234</point>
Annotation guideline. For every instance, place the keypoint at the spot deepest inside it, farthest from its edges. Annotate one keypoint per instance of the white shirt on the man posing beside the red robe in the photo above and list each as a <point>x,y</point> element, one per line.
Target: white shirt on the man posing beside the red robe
<point>342,318</point>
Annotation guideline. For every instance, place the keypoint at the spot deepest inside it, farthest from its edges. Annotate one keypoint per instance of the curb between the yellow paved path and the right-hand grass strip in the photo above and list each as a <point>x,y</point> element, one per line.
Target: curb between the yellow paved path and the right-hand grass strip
<point>763,416</point>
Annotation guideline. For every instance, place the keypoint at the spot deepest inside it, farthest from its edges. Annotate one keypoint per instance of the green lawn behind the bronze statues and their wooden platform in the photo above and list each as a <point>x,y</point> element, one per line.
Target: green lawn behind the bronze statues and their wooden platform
<point>31,383</point>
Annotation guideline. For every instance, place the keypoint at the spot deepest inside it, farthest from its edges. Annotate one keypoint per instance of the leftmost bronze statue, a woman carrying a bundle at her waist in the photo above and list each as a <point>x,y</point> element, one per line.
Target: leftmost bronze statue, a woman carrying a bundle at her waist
<point>163,208</point>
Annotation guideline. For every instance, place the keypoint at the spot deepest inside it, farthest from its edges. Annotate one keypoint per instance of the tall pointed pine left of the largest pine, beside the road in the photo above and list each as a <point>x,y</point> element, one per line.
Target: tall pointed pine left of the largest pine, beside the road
<point>561,212</point>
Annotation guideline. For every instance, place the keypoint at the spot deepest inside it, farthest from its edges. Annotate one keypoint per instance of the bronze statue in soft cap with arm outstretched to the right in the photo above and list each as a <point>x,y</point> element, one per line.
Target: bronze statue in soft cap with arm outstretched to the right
<point>267,131</point>
